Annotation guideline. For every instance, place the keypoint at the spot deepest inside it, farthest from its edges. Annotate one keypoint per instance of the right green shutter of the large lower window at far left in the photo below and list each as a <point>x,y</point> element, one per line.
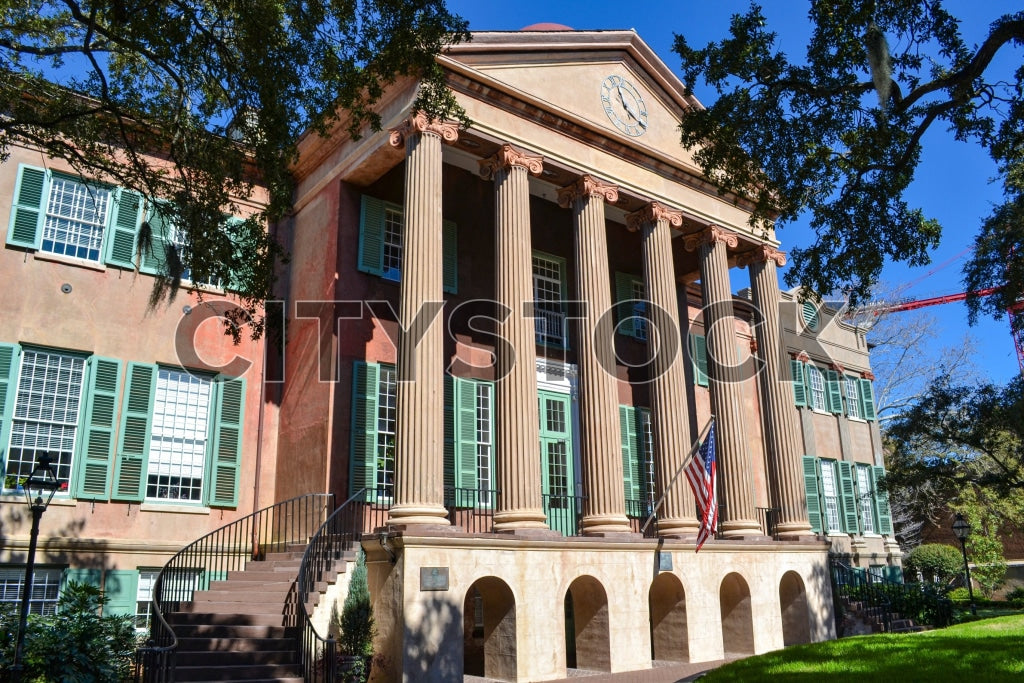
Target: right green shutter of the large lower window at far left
<point>97,453</point>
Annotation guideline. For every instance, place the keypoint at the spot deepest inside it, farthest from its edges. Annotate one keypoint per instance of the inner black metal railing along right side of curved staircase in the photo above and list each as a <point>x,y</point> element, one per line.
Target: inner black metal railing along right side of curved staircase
<point>339,534</point>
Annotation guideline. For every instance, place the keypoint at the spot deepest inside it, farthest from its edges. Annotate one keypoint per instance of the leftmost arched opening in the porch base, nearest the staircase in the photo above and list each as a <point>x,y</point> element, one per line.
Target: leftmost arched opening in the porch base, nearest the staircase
<point>489,630</point>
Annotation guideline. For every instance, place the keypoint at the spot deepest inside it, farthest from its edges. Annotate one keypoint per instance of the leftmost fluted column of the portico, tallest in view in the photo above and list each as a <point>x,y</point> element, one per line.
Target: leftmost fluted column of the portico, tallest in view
<point>419,478</point>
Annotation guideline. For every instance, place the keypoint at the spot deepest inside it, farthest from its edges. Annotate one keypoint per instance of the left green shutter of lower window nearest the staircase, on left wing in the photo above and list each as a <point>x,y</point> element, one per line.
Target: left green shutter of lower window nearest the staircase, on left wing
<point>137,428</point>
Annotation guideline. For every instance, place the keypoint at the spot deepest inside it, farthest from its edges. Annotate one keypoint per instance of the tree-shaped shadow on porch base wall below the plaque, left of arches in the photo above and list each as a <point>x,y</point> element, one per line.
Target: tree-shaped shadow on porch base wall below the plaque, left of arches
<point>434,649</point>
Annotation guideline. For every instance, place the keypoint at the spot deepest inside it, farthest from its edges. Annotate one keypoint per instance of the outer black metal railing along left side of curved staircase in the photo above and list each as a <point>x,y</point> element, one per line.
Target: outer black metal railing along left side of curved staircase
<point>210,559</point>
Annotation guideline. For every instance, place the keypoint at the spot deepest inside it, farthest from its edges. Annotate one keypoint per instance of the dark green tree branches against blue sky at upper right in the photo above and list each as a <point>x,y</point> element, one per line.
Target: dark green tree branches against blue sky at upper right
<point>839,135</point>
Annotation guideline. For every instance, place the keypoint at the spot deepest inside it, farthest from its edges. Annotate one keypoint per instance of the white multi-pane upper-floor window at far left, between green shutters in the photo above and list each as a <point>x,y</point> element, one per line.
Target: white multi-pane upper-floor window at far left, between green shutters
<point>76,215</point>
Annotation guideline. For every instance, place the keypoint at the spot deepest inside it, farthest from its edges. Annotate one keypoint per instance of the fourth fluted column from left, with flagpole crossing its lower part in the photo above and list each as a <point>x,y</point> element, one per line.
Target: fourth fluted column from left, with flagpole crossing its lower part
<point>670,414</point>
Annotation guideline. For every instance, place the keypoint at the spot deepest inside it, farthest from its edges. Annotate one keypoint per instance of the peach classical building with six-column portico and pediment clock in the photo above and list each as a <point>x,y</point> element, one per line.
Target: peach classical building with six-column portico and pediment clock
<point>504,340</point>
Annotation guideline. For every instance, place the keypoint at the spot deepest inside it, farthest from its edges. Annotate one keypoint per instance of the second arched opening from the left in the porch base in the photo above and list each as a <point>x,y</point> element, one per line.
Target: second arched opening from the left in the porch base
<point>587,641</point>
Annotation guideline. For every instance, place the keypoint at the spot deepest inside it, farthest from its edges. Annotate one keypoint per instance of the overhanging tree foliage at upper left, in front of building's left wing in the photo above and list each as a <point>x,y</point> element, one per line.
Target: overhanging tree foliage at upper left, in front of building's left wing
<point>221,92</point>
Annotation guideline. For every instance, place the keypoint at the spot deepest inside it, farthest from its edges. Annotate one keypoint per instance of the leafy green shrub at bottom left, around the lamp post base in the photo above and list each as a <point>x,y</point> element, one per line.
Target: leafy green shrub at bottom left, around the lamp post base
<point>75,645</point>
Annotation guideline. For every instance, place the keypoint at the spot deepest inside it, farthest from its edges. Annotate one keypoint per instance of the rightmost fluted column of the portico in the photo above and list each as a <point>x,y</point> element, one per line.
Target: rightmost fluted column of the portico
<point>779,415</point>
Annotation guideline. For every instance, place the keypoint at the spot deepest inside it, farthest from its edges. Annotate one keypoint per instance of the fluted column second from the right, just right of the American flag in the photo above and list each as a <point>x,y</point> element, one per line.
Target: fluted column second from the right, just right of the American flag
<point>736,474</point>
